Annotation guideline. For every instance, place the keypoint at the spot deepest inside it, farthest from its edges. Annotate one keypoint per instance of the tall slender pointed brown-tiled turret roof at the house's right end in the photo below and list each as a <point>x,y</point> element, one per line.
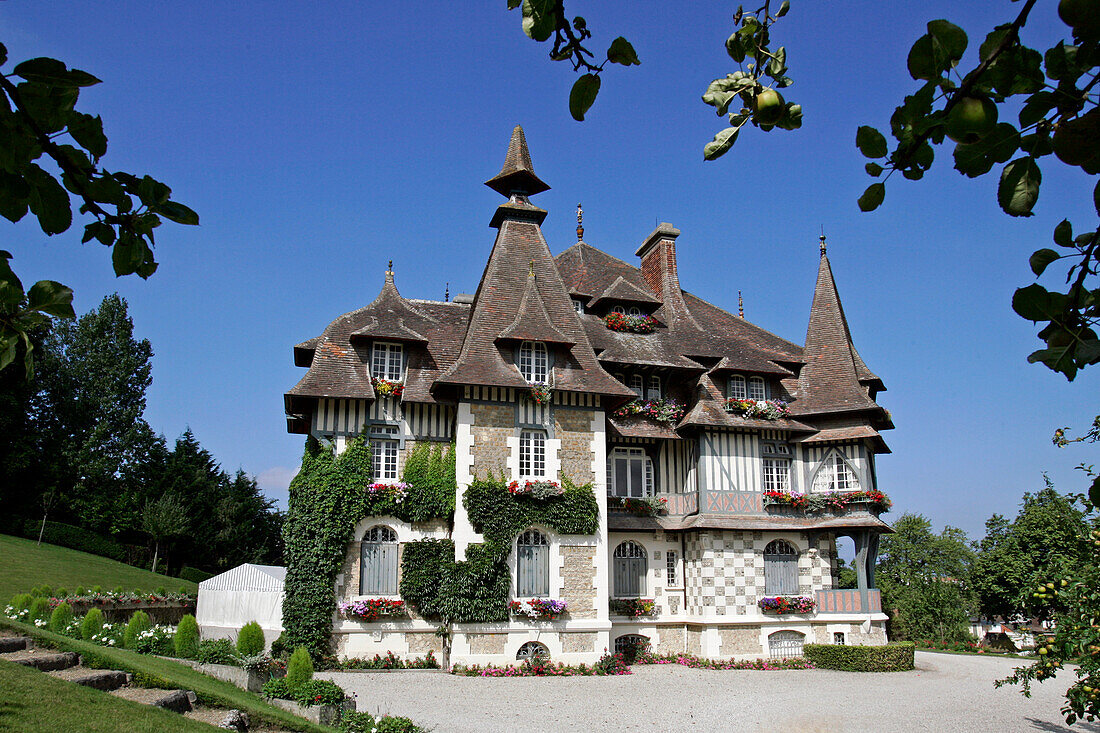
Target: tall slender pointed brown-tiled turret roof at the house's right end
<point>834,379</point>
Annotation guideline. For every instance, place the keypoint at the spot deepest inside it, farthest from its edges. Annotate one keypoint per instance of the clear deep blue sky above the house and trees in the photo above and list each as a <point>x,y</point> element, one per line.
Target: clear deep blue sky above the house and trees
<point>320,140</point>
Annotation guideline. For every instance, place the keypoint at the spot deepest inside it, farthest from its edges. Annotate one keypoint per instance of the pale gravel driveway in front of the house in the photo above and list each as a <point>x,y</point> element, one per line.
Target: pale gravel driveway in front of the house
<point>945,694</point>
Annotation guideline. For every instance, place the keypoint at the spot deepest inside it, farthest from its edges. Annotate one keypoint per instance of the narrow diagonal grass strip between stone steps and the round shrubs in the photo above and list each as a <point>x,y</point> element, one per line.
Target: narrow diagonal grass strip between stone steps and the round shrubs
<point>170,675</point>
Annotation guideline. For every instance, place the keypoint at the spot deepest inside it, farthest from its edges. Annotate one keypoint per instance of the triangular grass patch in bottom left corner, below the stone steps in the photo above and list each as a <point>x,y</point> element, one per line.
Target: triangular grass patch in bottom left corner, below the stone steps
<point>36,703</point>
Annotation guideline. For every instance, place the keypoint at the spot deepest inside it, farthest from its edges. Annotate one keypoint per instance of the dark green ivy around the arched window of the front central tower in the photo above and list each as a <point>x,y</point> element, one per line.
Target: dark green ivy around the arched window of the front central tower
<point>476,590</point>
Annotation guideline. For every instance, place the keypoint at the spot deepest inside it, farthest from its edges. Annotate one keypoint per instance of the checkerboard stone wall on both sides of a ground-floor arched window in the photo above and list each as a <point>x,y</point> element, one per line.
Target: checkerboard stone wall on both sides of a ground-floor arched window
<point>724,571</point>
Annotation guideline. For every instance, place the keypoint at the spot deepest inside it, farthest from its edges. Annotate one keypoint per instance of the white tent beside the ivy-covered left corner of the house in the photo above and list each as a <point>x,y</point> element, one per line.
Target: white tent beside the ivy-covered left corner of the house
<point>248,593</point>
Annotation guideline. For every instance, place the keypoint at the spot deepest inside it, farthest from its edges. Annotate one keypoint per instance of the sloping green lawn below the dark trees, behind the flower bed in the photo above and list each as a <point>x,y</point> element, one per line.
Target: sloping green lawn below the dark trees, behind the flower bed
<point>27,565</point>
